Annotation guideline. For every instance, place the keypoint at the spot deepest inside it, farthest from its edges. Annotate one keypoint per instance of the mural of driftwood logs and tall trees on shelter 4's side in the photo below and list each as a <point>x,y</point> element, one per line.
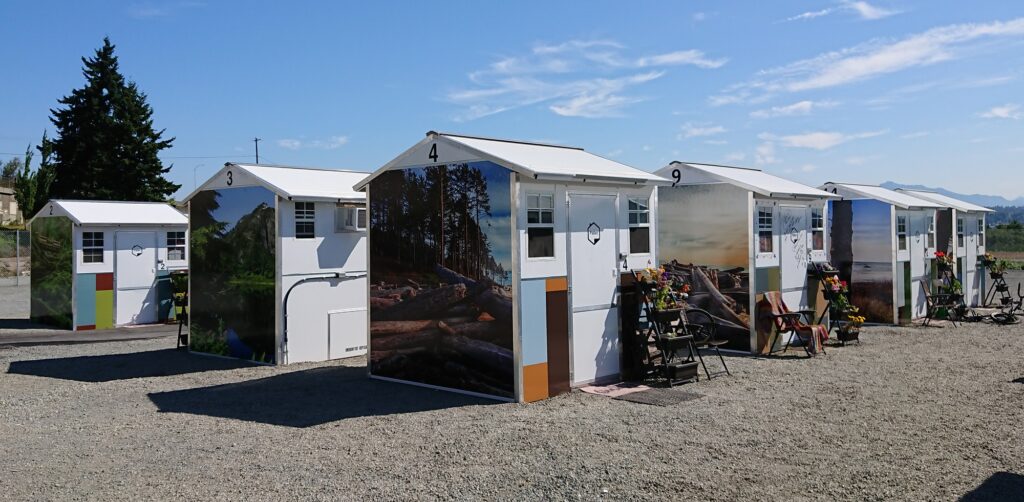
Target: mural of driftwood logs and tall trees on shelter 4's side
<point>441,273</point>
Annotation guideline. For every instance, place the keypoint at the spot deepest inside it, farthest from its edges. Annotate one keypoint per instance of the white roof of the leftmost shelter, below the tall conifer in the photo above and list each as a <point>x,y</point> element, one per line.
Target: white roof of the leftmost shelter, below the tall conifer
<point>113,213</point>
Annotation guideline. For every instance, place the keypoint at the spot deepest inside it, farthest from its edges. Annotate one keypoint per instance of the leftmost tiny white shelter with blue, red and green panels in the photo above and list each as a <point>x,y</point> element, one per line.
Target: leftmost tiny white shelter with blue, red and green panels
<point>99,265</point>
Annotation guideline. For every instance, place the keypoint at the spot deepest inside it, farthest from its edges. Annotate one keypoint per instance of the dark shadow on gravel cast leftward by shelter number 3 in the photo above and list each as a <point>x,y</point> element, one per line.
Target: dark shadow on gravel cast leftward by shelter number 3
<point>123,366</point>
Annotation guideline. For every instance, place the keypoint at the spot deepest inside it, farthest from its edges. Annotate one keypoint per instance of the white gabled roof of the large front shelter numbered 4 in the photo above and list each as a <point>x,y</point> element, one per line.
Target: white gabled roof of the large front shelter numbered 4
<point>544,162</point>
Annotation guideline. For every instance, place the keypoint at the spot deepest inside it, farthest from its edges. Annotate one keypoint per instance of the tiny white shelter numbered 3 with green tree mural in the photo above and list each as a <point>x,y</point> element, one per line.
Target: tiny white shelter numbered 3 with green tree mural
<point>279,265</point>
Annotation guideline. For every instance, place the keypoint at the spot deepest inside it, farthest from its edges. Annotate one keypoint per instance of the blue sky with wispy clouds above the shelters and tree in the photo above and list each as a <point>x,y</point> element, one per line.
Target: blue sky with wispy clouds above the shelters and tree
<point>911,92</point>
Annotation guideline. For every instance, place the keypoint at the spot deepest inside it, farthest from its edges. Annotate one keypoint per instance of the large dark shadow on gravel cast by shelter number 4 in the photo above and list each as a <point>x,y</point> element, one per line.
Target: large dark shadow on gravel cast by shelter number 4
<point>308,398</point>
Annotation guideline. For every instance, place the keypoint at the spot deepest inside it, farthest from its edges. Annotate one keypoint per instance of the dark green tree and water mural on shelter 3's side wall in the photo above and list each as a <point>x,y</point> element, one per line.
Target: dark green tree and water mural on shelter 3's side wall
<point>232,248</point>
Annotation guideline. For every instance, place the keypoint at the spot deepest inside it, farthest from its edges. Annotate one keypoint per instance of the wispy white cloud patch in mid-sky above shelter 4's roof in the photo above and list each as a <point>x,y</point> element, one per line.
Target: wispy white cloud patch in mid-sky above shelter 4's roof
<point>577,78</point>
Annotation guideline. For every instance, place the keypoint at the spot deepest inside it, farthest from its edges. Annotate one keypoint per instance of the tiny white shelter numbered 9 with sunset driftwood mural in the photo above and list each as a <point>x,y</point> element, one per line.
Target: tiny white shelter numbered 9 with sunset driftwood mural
<point>741,234</point>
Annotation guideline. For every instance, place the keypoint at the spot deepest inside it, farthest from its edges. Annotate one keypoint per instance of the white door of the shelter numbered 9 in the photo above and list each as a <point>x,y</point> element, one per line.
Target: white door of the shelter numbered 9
<point>794,257</point>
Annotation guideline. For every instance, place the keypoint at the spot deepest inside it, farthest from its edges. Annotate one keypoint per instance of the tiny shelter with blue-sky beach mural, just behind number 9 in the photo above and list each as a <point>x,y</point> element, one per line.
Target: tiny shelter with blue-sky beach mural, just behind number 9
<point>884,245</point>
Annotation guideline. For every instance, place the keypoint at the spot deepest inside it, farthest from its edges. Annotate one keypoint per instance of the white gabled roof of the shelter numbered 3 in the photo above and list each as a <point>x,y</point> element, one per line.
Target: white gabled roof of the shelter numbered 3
<point>301,183</point>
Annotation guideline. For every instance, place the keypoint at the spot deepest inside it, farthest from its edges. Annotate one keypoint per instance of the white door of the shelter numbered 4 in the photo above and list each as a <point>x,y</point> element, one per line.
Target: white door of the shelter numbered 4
<point>593,282</point>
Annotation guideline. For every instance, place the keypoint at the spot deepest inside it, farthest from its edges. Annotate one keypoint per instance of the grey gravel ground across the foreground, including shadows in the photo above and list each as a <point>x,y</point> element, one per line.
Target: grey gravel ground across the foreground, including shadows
<point>913,413</point>
